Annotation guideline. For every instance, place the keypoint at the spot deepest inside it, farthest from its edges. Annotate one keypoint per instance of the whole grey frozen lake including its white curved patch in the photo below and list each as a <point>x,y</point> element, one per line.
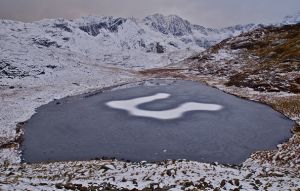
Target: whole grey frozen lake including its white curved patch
<point>157,121</point>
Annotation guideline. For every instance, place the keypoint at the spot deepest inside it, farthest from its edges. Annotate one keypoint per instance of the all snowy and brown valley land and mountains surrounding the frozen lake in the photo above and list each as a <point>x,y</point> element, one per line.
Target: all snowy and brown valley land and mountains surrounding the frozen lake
<point>52,59</point>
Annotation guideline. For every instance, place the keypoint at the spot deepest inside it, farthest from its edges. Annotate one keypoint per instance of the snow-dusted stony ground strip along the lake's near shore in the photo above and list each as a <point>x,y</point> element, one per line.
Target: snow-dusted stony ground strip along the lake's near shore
<point>173,175</point>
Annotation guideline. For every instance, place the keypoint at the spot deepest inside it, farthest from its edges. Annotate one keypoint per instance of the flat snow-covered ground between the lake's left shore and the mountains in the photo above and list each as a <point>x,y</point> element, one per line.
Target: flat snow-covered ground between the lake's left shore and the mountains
<point>20,97</point>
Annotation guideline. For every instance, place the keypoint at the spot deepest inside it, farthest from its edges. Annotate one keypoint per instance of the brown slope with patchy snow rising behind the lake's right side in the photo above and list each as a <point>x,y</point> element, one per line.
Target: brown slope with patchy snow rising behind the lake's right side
<point>266,60</point>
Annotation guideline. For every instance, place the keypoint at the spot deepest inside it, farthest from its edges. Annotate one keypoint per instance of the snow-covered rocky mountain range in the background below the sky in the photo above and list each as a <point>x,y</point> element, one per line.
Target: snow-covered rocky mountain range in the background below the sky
<point>35,48</point>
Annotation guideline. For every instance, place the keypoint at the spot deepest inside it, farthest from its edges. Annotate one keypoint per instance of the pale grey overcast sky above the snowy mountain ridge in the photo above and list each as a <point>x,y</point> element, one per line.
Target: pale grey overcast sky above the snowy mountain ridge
<point>212,13</point>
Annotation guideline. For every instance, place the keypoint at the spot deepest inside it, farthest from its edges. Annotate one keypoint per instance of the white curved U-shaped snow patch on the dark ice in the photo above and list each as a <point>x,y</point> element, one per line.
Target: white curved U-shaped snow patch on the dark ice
<point>131,106</point>
